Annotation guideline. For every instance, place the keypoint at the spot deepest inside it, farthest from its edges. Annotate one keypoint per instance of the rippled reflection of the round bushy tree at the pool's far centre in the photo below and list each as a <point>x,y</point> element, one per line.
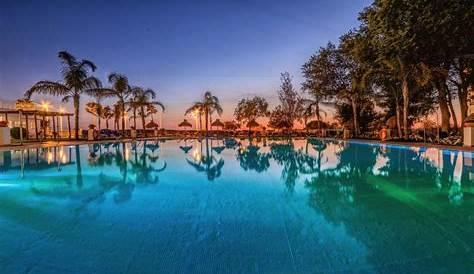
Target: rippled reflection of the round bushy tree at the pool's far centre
<point>251,159</point>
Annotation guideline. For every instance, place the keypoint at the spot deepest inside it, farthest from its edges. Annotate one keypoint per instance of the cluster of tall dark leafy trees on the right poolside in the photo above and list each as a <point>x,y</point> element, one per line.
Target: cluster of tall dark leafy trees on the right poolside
<point>409,57</point>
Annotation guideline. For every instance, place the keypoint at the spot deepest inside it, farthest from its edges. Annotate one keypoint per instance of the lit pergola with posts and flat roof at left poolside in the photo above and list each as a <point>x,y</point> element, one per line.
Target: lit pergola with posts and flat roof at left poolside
<point>38,115</point>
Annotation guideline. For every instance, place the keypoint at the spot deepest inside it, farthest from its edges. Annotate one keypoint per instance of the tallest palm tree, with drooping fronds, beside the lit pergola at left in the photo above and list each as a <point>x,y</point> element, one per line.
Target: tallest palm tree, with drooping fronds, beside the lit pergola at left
<point>76,81</point>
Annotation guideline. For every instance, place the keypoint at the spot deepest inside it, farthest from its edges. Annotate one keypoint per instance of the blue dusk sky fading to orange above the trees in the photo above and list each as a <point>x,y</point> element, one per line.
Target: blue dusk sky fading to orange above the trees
<point>179,48</point>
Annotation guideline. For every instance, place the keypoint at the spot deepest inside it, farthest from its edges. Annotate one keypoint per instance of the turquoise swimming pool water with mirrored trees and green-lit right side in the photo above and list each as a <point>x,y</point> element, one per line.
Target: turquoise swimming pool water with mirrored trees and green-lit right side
<point>300,206</point>
